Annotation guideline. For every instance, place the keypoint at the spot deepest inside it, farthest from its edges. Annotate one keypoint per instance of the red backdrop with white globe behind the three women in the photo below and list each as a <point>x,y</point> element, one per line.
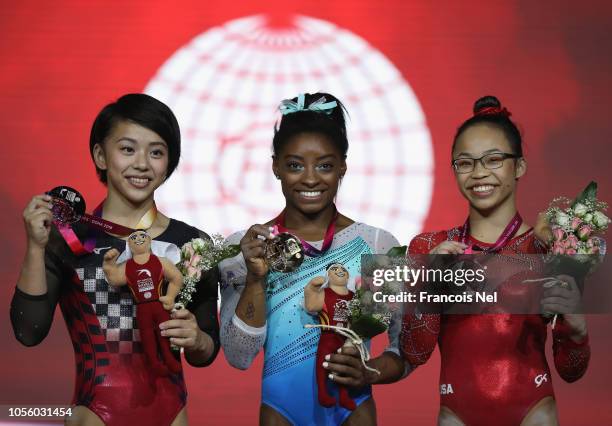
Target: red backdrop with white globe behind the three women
<point>408,73</point>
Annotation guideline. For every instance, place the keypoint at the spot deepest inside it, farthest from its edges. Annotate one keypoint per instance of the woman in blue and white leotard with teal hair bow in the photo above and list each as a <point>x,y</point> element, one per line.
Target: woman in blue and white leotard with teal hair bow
<point>264,309</point>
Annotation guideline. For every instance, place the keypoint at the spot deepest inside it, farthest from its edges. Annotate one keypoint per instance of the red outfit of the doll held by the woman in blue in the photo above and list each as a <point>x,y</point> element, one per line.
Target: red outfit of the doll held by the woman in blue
<point>335,312</point>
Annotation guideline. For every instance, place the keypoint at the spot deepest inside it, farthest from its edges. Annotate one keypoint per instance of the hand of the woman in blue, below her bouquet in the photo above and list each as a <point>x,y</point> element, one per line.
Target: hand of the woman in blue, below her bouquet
<point>346,368</point>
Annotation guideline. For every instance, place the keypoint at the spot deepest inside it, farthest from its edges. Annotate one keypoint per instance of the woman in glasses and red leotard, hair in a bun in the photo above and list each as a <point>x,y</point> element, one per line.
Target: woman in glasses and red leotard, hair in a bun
<point>493,367</point>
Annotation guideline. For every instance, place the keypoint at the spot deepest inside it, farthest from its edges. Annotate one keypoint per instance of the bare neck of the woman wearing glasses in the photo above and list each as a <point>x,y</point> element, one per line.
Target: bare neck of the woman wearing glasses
<point>488,225</point>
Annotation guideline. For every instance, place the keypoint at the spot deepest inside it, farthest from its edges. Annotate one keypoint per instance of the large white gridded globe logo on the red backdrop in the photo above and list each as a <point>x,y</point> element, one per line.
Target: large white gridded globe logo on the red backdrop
<point>225,86</point>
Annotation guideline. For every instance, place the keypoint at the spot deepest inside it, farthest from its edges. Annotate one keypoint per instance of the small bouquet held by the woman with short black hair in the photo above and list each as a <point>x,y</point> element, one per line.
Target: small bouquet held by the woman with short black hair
<point>199,256</point>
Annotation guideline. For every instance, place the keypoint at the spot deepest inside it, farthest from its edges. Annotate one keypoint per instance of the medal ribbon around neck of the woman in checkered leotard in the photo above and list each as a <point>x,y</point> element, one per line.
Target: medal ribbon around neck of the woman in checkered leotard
<point>97,224</point>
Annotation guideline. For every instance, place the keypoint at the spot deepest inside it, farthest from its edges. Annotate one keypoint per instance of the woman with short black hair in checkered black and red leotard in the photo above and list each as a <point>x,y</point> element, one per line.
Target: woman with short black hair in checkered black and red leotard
<point>135,146</point>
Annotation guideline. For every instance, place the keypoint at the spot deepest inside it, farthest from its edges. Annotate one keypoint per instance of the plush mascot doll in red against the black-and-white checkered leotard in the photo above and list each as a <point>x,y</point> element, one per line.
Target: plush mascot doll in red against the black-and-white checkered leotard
<point>144,274</point>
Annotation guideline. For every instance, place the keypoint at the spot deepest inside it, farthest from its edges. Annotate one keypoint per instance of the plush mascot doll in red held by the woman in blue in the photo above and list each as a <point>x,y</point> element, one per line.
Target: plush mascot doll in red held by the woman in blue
<point>332,304</point>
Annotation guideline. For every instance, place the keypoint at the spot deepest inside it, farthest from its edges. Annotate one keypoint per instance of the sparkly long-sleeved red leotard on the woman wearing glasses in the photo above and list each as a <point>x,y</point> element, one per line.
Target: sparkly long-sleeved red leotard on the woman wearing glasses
<point>493,367</point>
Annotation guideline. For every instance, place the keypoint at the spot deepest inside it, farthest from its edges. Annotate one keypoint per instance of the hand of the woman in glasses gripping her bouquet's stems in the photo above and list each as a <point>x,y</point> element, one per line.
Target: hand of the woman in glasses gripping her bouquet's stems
<point>565,299</point>
